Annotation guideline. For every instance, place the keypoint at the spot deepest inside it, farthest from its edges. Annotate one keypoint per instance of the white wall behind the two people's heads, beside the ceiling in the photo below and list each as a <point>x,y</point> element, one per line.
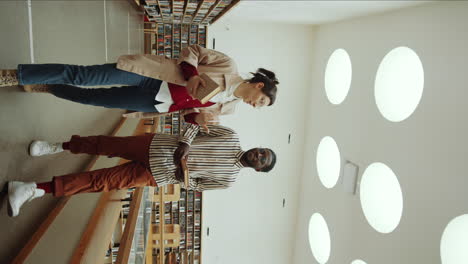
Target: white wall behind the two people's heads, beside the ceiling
<point>247,222</point>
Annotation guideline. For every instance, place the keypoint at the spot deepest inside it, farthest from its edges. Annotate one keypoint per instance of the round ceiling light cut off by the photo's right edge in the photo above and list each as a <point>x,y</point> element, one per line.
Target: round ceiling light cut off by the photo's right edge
<point>454,242</point>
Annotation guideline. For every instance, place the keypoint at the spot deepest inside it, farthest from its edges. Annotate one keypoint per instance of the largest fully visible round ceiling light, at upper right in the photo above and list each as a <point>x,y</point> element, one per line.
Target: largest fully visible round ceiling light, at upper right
<point>399,84</point>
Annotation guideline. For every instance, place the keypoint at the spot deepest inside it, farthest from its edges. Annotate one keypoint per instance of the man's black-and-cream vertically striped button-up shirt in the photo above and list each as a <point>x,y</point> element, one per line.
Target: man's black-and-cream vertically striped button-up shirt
<point>213,161</point>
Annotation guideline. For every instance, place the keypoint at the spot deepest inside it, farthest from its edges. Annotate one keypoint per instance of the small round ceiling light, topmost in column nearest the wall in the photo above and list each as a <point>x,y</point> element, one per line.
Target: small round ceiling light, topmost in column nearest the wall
<point>338,74</point>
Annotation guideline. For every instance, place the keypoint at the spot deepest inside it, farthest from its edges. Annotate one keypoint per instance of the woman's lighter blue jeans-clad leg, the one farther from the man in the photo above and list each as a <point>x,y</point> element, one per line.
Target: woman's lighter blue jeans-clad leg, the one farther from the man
<point>94,75</point>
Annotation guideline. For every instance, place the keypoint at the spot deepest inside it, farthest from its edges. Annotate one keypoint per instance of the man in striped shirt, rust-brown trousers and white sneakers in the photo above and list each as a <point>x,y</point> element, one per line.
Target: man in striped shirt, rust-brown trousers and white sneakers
<point>214,161</point>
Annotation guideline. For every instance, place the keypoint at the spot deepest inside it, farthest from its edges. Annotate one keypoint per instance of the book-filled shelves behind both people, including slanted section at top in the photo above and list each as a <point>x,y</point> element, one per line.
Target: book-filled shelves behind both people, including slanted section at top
<point>170,26</point>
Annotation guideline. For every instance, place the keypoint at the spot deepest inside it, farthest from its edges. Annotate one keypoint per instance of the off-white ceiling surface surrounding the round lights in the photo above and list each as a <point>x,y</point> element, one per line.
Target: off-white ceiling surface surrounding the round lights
<point>427,152</point>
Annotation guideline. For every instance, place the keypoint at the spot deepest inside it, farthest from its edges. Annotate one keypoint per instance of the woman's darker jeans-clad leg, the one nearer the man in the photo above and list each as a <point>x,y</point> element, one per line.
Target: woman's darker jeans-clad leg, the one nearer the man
<point>134,98</point>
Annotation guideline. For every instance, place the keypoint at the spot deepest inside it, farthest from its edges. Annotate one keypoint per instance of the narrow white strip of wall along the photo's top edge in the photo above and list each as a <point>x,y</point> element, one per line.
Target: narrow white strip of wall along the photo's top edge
<point>310,12</point>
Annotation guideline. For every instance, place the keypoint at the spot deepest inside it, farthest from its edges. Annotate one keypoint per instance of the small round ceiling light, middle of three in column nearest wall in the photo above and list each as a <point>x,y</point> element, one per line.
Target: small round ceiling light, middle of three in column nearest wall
<point>328,162</point>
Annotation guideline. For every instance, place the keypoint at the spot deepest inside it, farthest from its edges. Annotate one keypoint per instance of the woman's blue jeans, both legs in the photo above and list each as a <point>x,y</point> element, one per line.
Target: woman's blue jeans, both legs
<point>138,95</point>
